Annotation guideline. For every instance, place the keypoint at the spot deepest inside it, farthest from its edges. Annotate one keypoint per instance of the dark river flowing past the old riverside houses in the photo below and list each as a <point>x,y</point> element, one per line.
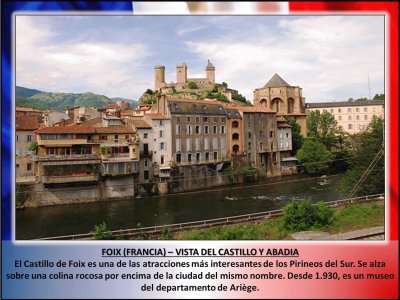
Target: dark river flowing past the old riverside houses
<point>218,202</point>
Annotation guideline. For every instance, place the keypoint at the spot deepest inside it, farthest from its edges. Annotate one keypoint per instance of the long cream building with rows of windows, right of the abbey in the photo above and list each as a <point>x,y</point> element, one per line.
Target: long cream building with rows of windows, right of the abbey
<point>353,116</point>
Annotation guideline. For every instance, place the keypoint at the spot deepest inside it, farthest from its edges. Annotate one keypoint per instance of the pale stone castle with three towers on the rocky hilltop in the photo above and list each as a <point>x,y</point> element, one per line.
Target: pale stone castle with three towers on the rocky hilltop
<point>182,79</point>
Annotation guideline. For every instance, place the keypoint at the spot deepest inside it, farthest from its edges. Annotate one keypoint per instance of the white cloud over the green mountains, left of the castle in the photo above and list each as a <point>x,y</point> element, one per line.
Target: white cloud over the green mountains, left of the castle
<point>99,67</point>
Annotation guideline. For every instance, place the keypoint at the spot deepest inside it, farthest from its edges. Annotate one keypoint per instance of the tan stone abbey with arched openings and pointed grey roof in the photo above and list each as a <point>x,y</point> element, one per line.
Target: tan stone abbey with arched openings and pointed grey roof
<point>284,99</point>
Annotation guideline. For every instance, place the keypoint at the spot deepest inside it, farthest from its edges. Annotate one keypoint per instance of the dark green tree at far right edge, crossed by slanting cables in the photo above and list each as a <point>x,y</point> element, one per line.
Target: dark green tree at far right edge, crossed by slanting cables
<point>369,143</point>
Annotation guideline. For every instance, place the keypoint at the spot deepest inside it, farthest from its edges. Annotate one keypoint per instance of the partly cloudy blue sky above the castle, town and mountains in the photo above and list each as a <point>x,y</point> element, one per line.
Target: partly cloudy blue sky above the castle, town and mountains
<point>332,58</point>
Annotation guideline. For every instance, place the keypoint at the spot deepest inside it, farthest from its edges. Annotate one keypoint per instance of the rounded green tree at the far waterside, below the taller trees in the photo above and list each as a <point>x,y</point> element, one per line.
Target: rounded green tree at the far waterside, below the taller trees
<point>313,157</point>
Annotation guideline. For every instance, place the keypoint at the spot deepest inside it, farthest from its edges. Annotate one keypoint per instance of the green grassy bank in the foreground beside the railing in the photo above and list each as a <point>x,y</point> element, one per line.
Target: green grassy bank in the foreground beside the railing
<point>352,217</point>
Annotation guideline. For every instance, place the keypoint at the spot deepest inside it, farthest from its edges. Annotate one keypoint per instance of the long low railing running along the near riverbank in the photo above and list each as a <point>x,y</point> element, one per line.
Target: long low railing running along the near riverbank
<point>209,223</point>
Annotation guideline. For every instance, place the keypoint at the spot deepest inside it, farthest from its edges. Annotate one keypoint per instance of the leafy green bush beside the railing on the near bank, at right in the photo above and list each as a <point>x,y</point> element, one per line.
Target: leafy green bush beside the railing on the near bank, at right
<point>303,215</point>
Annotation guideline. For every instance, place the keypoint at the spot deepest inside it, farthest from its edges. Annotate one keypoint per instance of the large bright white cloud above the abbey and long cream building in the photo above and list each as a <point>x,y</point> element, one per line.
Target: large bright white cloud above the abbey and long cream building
<point>319,54</point>
